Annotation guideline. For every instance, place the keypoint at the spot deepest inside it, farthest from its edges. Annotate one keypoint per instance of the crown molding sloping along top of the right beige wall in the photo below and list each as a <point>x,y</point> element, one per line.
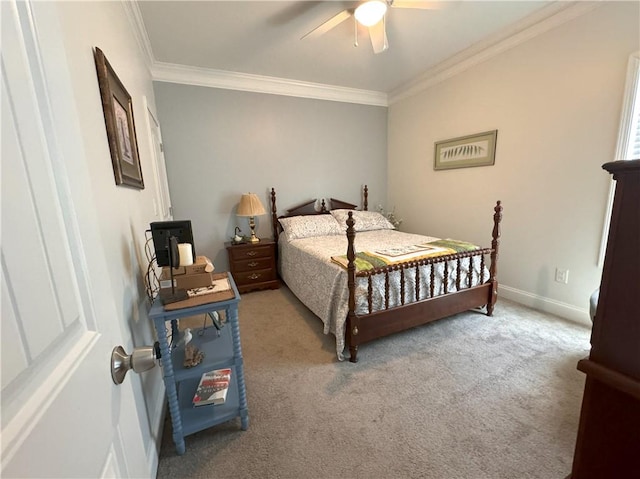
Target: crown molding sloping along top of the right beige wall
<point>533,25</point>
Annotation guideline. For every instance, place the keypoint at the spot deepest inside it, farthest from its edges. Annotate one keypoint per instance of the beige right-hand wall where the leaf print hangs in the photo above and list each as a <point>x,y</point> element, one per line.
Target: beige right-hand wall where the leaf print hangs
<point>556,102</point>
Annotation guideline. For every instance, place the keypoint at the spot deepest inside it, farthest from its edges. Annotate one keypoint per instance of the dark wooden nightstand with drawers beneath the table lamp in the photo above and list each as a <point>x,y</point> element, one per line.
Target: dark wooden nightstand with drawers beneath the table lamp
<point>253,265</point>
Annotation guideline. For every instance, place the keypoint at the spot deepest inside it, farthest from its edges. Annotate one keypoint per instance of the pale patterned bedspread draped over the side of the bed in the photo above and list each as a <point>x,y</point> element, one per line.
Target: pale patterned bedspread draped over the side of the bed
<point>321,284</point>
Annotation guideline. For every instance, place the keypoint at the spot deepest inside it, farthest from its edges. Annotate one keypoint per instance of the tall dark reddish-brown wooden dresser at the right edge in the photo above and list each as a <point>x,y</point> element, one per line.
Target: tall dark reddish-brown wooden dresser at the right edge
<point>608,443</point>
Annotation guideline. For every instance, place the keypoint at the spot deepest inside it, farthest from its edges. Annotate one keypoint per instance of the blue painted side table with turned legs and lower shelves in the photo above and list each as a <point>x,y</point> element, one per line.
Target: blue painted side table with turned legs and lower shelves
<point>222,349</point>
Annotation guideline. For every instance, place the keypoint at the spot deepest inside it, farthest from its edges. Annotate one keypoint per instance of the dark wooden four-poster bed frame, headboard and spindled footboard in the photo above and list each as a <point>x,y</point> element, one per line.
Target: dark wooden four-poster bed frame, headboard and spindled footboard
<point>362,328</point>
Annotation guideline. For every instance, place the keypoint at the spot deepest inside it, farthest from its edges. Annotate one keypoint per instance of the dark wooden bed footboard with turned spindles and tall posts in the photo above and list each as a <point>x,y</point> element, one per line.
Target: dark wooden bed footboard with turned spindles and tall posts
<point>423,306</point>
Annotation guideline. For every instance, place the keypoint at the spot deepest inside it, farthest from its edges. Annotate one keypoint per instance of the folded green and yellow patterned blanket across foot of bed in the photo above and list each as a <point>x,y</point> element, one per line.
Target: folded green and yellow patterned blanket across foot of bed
<point>367,260</point>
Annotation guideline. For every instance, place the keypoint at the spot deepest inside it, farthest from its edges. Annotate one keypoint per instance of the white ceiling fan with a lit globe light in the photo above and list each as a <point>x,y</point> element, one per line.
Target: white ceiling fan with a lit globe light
<point>371,14</point>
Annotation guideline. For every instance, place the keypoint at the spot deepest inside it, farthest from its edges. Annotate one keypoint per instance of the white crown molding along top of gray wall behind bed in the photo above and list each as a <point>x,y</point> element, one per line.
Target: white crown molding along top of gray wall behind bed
<point>173,73</point>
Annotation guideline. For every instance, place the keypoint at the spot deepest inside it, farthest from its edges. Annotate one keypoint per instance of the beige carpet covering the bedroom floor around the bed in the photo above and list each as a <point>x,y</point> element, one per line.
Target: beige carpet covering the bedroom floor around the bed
<point>469,396</point>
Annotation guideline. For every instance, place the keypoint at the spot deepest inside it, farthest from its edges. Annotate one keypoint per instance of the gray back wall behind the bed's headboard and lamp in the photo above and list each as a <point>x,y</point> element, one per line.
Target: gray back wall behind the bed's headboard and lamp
<point>222,143</point>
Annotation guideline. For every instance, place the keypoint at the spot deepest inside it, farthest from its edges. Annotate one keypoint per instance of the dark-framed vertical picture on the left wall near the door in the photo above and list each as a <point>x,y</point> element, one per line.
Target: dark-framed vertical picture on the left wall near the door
<point>121,130</point>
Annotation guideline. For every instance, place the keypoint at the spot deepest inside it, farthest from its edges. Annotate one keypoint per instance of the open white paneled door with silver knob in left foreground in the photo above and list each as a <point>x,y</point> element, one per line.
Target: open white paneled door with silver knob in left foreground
<point>61,415</point>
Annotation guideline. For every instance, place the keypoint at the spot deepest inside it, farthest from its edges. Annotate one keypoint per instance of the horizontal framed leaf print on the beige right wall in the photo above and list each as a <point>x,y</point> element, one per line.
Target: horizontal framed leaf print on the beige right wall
<point>465,151</point>
